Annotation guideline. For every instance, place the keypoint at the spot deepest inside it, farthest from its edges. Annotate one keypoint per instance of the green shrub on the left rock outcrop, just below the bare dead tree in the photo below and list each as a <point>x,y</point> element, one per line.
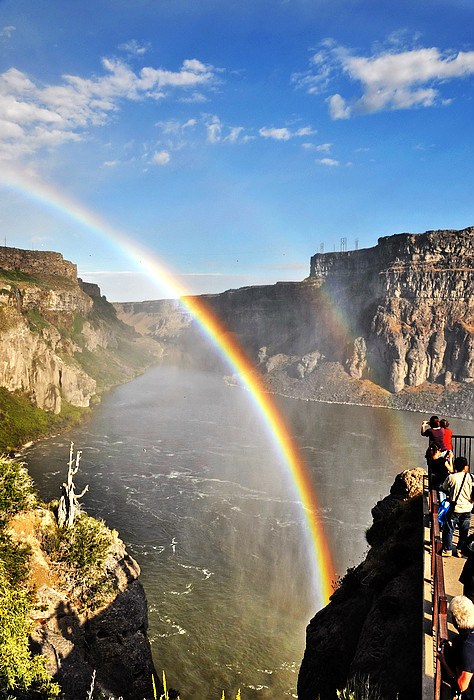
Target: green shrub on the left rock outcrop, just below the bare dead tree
<point>79,553</point>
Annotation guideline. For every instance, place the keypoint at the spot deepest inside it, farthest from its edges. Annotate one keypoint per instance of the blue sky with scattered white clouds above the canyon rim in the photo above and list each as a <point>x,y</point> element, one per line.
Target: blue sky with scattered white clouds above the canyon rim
<point>231,141</point>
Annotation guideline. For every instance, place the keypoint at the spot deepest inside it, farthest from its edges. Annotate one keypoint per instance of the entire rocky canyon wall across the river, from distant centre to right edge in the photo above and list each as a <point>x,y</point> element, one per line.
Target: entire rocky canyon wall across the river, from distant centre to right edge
<point>390,325</point>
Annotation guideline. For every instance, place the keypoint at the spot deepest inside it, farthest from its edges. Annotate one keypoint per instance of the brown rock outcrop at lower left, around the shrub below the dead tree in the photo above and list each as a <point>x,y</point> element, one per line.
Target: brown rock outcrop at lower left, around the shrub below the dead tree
<point>110,641</point>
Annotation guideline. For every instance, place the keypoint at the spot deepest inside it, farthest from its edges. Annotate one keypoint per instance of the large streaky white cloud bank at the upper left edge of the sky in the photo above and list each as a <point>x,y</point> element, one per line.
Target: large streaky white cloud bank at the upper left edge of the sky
<point>34,116</point>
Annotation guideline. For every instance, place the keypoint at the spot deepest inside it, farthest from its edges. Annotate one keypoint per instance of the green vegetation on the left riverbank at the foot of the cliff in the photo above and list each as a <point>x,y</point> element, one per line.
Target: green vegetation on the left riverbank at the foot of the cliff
<point>21,422</point>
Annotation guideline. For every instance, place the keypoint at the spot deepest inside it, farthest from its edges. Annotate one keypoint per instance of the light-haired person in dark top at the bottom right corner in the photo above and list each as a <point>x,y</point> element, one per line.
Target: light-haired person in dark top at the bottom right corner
<point>458,658</point>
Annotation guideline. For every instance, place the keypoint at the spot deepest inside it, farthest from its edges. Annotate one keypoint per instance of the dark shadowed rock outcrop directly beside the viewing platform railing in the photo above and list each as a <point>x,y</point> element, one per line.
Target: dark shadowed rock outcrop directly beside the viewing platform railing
<point>371,626</point>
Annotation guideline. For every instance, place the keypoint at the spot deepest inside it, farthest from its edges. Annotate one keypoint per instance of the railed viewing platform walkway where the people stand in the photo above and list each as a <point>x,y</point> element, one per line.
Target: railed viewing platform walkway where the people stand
<point>440,583</point>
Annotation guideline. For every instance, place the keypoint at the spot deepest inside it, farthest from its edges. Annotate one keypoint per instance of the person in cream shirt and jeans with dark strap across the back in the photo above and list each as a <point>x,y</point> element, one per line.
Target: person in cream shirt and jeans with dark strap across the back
<point>458,486</point>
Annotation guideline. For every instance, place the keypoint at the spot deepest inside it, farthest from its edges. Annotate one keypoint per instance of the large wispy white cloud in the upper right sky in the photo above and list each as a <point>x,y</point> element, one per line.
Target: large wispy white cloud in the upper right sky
<point>390,79</point>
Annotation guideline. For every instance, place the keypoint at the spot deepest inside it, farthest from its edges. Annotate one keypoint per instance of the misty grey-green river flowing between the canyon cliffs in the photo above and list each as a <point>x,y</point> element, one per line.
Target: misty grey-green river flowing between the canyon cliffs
<point>180,464</point>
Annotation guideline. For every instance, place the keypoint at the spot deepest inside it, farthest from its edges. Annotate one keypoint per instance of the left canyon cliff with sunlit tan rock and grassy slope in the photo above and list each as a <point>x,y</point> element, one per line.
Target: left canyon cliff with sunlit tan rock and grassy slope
<point>59,338</point>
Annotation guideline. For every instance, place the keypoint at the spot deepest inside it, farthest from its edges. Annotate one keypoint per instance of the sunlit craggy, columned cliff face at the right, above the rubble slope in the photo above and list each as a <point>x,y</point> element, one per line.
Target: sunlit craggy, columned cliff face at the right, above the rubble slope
<point>412,307</point>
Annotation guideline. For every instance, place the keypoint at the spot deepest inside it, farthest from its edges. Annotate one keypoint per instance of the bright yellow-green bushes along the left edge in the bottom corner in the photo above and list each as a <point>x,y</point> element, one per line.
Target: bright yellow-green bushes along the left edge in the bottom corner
<point>22,676</point>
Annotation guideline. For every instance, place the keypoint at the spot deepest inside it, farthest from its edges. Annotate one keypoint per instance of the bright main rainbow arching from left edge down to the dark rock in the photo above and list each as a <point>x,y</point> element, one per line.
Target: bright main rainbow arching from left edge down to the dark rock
<point>225,343</point>
